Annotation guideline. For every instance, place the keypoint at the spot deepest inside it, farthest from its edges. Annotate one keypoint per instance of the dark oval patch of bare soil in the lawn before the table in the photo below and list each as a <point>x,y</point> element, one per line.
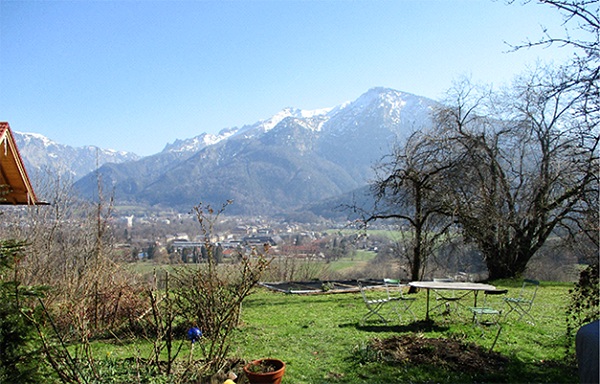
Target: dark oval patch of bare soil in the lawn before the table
<point>450,354</point>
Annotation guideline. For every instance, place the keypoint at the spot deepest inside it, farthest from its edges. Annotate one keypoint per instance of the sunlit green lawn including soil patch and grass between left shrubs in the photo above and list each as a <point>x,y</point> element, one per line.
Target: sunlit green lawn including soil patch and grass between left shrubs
<point>320,339</point>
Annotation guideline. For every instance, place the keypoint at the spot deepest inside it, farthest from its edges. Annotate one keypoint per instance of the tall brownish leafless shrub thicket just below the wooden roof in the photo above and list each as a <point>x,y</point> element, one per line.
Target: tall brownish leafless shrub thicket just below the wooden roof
<point>70,249</point>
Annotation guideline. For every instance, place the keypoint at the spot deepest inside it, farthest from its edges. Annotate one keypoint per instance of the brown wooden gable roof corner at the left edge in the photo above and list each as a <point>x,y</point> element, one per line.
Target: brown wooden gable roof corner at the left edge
<point>15,187</point>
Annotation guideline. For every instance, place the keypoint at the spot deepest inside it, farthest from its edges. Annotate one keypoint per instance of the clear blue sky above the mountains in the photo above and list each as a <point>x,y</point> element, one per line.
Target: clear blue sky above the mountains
<point>135,75</point>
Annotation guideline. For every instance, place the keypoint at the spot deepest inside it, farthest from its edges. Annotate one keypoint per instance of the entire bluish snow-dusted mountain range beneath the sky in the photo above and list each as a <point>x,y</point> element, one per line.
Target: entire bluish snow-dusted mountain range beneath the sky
<point>292,160</point>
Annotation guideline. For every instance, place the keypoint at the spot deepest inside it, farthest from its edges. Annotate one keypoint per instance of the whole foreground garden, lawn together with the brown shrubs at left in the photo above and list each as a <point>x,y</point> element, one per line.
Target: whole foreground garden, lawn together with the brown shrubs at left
<point>101,322</point>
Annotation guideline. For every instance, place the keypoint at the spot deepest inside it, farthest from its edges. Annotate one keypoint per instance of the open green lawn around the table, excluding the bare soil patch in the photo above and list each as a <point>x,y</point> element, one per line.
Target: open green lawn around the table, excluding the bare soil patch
<point>321,341</point>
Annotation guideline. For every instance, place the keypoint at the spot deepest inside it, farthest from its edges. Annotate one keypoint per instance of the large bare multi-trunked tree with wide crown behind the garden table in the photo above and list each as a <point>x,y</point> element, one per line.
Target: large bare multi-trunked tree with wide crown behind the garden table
<point>524,160</point>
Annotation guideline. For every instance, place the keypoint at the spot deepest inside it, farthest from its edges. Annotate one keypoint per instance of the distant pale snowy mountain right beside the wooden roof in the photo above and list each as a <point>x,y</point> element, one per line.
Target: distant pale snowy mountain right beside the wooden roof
<point>39,153</point>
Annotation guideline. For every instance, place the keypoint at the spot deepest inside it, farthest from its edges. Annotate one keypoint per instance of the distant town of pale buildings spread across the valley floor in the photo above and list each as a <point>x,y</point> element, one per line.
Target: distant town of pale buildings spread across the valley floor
<point>179,238</point>
